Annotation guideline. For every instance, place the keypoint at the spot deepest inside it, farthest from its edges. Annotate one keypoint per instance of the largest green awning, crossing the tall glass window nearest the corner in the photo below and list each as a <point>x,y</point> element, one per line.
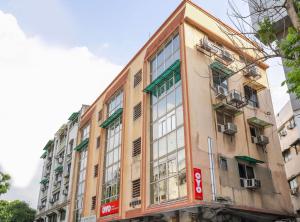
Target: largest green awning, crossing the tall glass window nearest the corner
<point>175,67</point>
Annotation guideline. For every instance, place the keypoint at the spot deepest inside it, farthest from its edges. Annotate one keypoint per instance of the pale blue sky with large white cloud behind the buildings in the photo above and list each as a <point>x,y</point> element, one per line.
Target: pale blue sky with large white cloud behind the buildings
<point>51,49</point>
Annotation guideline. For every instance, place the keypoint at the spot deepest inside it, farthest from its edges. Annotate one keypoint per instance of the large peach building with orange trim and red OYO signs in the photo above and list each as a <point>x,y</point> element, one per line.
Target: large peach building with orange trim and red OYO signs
<point>180,135</point>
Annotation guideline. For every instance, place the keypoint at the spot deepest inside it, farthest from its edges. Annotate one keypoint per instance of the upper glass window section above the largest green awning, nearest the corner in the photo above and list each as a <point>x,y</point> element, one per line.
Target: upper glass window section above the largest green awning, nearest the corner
<point>165,57</point>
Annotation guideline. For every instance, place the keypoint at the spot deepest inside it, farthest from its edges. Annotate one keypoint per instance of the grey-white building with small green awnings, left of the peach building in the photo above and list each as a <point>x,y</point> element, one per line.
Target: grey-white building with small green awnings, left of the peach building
<point>58,156</point>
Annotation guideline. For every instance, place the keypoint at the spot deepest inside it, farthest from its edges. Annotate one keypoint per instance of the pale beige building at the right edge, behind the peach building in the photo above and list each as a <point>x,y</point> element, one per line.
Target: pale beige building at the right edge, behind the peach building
<point>289,133</point>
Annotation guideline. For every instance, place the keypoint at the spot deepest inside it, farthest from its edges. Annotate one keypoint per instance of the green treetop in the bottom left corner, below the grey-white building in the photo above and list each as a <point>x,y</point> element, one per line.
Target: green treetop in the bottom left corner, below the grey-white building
<point>16,211</point>
